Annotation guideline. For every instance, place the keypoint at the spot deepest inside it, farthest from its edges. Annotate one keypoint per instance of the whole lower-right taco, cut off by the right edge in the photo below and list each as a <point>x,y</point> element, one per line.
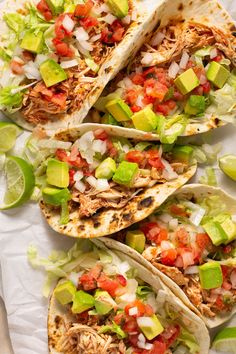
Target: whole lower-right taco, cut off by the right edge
<point>190,242</point>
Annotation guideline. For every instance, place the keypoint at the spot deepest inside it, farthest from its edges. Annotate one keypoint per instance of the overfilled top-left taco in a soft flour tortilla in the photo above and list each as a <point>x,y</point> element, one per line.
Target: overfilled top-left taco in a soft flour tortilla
<point>57,56</point>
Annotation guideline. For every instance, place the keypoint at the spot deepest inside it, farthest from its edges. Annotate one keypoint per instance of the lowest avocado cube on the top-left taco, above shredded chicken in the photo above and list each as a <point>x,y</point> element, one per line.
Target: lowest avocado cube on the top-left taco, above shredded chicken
<point>52,72</point>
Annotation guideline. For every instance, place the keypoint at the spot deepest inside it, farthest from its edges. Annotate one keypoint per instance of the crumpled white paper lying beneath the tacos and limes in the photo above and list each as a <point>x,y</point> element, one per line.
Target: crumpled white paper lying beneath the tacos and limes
<point>20,285</point>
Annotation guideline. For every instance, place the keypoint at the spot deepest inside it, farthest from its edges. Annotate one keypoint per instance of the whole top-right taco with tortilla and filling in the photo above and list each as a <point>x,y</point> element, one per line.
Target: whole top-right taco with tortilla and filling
<point>183,79</point>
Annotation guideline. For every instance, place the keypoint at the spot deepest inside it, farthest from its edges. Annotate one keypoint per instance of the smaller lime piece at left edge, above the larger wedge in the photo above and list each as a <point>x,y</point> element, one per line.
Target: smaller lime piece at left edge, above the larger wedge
<point>8,134</point>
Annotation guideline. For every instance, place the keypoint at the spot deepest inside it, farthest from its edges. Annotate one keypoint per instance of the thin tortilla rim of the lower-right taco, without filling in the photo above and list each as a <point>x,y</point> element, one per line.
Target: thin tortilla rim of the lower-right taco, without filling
<point>197,191</point>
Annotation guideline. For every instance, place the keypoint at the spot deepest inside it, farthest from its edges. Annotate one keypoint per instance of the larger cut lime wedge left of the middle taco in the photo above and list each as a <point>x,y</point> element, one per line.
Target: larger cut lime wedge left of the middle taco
<point>20,182</point>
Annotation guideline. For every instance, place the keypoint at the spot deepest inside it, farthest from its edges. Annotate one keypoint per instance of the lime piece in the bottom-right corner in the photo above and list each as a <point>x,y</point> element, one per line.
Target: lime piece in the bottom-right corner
<point>225,340</point>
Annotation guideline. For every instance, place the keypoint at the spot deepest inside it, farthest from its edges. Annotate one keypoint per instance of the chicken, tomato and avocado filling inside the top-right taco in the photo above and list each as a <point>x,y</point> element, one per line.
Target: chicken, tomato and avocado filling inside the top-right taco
<point>182,74</point>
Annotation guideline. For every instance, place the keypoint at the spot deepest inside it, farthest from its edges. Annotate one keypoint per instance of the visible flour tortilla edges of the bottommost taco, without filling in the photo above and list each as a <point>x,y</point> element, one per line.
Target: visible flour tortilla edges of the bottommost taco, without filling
<point>57,314</point>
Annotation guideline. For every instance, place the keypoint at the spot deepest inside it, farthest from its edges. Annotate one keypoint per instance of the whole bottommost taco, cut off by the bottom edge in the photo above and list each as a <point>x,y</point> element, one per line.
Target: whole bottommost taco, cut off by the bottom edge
<point>111,304</point>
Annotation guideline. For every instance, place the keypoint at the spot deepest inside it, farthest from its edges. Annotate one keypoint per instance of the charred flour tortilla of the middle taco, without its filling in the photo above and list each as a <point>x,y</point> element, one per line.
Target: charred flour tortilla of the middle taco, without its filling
<point>110,220</point>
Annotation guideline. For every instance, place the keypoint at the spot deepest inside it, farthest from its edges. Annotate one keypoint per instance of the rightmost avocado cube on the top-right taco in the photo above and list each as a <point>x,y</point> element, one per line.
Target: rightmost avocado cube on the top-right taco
<point>217,74</point>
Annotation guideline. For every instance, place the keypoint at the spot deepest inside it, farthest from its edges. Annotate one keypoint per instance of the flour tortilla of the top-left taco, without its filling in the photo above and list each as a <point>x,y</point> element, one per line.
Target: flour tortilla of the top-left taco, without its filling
<point>146,11</point>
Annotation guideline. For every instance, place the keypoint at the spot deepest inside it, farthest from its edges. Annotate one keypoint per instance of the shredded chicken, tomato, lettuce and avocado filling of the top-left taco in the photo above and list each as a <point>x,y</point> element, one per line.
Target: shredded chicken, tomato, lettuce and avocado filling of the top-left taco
<point>51,54</point>
